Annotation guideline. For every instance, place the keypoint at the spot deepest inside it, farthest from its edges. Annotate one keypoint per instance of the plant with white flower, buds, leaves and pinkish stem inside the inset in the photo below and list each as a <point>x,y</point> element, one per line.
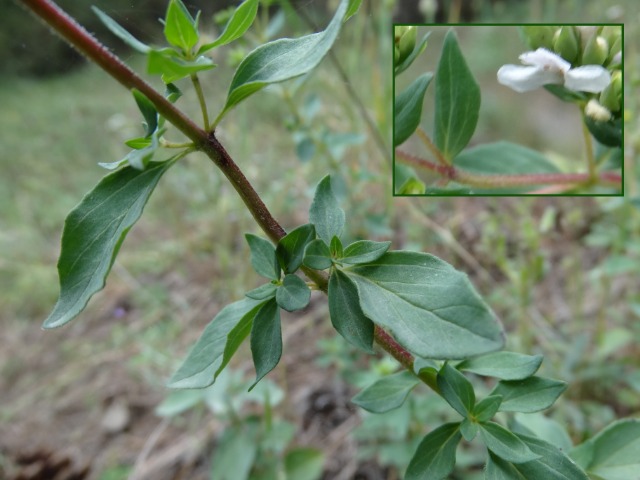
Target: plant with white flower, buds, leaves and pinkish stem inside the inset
<point>581,66</point>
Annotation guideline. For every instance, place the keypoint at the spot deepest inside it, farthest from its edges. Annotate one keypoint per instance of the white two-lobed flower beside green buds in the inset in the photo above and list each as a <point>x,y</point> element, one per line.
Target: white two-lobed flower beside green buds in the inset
<point>543,67</point>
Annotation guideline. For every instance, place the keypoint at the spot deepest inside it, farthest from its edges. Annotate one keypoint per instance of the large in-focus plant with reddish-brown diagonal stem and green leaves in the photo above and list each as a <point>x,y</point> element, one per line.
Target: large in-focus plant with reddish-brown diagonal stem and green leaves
<point>416,307</point>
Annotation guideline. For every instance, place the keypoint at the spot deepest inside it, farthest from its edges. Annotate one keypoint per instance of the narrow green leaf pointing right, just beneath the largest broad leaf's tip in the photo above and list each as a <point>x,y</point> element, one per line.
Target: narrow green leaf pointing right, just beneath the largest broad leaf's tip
<point>503,365</point>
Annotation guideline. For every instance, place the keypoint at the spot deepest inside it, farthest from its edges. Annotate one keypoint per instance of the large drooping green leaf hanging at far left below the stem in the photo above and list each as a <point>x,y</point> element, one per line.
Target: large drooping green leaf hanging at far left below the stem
<point>93,233</point>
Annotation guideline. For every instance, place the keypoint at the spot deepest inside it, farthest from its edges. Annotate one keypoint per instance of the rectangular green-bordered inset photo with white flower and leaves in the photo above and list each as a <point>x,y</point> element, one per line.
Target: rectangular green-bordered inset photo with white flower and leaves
<point>508,110</point>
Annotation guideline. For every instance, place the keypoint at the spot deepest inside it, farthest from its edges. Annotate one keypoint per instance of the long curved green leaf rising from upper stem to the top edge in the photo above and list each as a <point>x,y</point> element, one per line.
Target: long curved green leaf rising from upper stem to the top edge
<point>282,60</point>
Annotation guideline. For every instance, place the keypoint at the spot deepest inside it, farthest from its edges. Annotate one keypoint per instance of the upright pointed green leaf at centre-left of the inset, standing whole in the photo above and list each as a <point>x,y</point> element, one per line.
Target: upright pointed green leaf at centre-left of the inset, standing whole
<point>457,100</point>
